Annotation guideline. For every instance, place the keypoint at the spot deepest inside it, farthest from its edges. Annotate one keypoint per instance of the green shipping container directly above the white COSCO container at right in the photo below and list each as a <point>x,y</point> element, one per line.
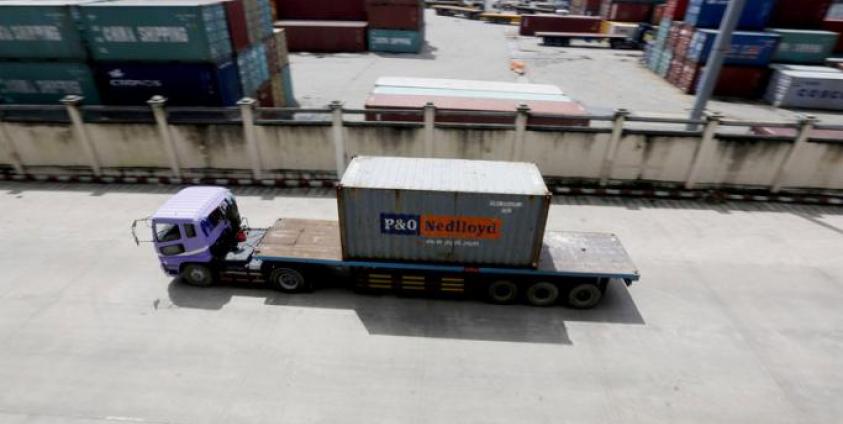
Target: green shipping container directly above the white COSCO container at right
<point>803,46</point>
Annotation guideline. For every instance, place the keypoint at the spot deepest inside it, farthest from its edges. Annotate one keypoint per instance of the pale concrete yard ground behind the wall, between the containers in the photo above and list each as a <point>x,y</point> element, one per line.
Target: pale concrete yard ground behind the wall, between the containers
<point>600,78</point>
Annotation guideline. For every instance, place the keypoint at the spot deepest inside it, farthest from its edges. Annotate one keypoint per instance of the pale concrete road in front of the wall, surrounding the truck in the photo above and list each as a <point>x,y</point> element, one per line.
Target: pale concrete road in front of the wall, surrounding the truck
<point>737,319</point>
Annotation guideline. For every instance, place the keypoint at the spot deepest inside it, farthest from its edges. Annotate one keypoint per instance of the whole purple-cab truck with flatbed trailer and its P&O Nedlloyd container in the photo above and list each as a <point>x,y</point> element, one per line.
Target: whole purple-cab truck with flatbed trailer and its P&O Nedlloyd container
<point>439,226</point>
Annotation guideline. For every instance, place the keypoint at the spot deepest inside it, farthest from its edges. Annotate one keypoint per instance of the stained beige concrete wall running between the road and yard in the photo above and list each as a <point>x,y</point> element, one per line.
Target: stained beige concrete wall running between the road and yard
<point>222,150</point>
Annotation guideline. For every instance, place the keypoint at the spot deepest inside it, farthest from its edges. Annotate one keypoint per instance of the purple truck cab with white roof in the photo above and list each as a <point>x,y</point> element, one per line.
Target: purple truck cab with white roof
<point>194,227</point>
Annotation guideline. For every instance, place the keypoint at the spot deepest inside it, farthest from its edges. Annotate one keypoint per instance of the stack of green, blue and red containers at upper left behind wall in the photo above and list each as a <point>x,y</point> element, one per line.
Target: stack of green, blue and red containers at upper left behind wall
<point>193,52</point>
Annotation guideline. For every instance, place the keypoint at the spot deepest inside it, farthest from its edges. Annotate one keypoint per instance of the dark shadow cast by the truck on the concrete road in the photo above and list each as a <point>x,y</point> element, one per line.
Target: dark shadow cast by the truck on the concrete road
<point>464,319</point>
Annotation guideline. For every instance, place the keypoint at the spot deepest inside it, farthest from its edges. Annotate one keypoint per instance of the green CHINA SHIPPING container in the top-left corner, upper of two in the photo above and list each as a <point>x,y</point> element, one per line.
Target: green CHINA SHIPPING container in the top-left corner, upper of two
<point>41,29</point>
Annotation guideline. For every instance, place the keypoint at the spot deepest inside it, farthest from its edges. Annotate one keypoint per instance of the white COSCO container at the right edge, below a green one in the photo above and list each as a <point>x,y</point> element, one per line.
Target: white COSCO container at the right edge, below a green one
<point>810,90</point>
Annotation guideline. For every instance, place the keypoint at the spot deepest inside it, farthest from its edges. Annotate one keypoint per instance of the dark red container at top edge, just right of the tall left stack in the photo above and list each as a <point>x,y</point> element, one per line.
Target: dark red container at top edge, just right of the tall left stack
<point>332,10</point>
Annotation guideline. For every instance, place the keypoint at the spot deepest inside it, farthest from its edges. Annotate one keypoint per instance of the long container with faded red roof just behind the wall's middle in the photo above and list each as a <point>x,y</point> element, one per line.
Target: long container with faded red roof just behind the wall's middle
<point>460,110</point>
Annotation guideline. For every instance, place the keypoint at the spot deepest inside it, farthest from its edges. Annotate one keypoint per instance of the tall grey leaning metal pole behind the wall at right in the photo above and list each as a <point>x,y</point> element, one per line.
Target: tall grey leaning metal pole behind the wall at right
<point>722,44</point>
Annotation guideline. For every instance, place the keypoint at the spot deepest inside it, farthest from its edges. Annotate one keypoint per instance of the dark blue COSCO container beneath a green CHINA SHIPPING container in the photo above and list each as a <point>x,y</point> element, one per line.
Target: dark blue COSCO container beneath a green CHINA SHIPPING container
<point>183,84</point>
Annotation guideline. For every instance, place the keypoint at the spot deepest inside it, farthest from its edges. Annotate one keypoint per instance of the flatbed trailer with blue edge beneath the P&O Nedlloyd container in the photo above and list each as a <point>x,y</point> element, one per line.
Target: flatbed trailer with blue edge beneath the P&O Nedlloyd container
<point>578,266</point>
